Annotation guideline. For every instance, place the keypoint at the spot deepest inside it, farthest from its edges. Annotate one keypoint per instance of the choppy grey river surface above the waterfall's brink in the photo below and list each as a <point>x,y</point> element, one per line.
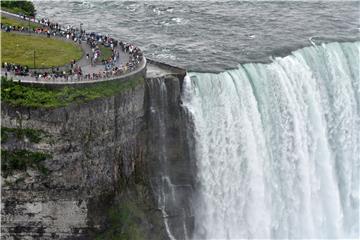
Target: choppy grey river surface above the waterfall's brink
<point>212,36</point>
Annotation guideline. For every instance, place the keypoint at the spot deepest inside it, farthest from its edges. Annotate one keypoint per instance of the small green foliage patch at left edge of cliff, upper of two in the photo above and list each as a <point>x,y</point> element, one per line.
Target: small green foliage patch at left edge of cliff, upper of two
<point>33,135</point>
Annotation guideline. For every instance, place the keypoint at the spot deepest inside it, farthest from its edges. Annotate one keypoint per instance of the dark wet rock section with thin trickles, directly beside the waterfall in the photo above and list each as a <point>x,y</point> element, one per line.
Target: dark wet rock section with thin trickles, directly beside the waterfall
<point>171,168</point>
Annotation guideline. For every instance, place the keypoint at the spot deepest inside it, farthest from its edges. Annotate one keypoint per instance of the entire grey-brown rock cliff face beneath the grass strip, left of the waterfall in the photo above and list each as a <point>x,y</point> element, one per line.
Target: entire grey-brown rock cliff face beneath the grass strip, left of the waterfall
<point>114,164</point>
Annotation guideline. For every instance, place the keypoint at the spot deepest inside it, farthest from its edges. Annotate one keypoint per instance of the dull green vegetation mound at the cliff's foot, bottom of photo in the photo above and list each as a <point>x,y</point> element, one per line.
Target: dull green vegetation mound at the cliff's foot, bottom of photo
<point>132,216</point>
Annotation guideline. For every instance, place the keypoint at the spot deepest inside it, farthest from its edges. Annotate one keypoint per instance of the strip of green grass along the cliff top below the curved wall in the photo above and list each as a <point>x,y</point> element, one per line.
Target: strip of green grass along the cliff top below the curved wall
<point>17,94</point>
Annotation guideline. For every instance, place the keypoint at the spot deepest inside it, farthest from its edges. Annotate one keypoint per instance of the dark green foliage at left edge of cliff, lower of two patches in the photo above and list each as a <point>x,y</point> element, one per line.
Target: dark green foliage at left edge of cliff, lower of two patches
<point>21,160</point>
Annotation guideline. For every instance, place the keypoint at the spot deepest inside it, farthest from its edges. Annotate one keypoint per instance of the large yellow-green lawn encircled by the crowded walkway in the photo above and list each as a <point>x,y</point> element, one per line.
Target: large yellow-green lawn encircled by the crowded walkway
<point>49,52</point>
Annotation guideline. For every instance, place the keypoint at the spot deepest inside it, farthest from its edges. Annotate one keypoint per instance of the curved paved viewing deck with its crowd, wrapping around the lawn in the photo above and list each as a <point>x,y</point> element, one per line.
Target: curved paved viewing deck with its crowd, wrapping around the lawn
<point>124,63</point>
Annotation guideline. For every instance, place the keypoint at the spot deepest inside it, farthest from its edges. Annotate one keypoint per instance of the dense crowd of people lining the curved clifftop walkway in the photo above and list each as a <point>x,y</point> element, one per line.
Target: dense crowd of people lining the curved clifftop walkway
<point>94,40</point>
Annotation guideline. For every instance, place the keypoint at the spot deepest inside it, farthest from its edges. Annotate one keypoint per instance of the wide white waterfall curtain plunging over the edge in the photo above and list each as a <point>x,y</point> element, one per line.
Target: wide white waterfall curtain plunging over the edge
<point>277,146</point>
